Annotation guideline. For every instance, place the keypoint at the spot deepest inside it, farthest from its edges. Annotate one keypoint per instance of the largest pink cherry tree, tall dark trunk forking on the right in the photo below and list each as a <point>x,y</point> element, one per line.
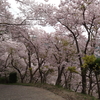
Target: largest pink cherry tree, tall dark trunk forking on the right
<point>77,17</point>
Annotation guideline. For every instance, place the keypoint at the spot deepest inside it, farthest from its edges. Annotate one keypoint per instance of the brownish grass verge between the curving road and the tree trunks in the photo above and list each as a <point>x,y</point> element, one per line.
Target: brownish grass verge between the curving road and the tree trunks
<point>66,94</point>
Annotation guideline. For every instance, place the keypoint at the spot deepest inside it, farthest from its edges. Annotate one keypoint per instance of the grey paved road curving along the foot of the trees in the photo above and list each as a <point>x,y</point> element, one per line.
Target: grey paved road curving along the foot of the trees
<point>14,92</point>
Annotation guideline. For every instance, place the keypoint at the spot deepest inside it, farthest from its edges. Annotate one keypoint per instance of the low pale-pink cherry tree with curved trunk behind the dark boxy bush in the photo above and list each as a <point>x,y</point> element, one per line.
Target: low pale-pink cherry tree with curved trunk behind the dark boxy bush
<point>15,58</point>
